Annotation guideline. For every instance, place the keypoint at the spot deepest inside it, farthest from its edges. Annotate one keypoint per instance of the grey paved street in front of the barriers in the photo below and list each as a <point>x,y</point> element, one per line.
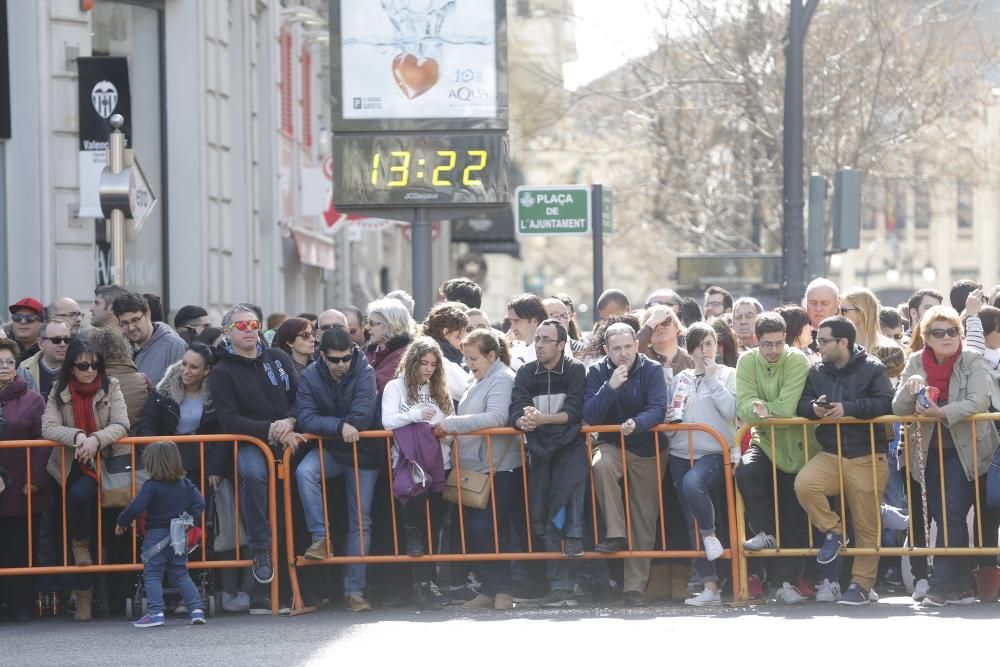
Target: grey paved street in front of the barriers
<point>586,635</point>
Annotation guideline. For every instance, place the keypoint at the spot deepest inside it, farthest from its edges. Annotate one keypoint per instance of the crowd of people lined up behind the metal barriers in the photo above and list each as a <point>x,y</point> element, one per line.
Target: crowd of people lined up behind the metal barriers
<point>436,383</point>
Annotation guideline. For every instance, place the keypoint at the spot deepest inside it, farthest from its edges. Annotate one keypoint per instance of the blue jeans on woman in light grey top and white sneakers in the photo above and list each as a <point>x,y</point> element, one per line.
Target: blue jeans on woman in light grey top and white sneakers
<point>695,483</point>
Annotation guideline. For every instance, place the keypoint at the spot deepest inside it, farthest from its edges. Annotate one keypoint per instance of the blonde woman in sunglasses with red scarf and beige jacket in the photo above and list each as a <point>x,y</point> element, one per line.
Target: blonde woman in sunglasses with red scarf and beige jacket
<point>953,449</point>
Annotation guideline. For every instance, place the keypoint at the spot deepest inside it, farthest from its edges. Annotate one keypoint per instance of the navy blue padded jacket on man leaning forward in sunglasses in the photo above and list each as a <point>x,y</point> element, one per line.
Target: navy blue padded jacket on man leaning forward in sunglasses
<point>324,405</point>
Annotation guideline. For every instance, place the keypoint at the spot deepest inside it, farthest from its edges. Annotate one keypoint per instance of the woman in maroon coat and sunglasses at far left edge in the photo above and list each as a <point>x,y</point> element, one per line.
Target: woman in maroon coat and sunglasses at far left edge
<point>22,417</point>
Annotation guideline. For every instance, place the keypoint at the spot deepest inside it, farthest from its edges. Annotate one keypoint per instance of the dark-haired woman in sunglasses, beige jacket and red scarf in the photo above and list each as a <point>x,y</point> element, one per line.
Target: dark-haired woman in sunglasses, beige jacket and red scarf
<point>86,413</point>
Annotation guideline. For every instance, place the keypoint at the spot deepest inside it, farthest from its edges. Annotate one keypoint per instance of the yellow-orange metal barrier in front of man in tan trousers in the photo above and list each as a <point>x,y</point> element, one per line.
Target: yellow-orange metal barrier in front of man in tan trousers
<point>878,550</point>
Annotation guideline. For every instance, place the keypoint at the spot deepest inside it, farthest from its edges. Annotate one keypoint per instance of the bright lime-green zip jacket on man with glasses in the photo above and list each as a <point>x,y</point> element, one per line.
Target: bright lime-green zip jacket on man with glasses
<point>779,386</point>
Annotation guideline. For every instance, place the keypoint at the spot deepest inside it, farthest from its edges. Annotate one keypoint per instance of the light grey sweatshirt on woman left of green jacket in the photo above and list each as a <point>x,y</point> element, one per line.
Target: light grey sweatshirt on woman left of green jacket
<point>712,402</point>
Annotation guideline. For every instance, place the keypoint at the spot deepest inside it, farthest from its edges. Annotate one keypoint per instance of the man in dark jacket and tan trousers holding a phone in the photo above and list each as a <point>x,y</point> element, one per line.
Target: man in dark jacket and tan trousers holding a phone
<point>848,382</point>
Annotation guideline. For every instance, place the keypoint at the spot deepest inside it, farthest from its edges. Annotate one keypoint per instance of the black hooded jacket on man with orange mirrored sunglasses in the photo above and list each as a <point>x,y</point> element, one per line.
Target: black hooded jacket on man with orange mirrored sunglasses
<point>250,394</point>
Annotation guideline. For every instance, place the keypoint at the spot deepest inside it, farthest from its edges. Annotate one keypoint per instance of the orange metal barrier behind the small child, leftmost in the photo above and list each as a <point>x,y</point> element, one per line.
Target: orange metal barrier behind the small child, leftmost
<point>135,565</point>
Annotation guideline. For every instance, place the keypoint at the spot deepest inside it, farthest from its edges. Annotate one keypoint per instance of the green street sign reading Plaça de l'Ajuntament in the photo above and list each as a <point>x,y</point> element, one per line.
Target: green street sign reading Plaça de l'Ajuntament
<point>552,210</point>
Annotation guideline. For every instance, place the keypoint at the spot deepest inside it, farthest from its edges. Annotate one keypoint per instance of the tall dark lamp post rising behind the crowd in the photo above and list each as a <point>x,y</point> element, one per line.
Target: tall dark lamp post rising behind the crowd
<point>793,236</point>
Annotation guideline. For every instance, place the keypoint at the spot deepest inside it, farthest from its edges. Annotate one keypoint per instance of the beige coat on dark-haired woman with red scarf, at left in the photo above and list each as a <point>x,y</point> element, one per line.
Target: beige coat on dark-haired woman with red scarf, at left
<point>110,414</point>
